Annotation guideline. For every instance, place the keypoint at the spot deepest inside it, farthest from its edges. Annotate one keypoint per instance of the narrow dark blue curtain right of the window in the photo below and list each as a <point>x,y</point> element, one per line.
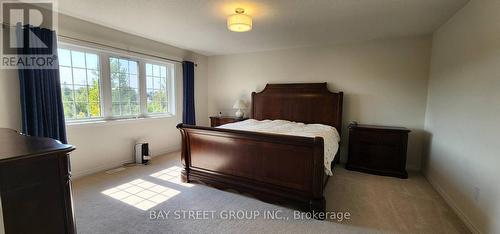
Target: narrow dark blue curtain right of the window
<point>188,114</point>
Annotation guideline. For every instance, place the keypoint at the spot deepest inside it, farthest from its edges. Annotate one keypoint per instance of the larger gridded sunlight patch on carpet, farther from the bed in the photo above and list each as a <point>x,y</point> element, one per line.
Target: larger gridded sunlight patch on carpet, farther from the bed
<point>141,194</point>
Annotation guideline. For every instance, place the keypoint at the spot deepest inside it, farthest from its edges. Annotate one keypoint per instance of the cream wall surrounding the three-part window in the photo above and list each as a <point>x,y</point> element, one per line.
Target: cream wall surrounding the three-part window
<point>105,145</point>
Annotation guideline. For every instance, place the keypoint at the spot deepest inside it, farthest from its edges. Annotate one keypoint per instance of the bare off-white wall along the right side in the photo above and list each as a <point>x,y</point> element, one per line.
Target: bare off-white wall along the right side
<point>463,114</point>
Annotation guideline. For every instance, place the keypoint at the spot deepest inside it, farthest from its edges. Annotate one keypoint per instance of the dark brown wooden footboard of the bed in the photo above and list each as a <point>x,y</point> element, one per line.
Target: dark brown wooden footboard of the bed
<point>272,167</point>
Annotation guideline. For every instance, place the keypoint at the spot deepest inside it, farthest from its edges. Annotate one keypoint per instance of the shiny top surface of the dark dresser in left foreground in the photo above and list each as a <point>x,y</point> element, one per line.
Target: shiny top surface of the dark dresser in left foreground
<point>14,146</point>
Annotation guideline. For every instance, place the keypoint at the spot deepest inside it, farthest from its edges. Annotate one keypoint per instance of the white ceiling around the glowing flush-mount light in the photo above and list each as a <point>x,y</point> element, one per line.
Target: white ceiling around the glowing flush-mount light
<point>200,25</point>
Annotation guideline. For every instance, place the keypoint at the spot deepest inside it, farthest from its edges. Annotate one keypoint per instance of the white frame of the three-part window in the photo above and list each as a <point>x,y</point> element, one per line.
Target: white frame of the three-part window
<point>105,87</point>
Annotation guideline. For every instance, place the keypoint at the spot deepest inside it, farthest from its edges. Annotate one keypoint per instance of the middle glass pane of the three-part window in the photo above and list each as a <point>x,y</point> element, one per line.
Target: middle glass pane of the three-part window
<point>124,87</point>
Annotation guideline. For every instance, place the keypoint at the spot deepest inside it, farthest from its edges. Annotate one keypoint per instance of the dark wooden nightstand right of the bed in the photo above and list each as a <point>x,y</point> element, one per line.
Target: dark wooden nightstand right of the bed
<point>378,150</point>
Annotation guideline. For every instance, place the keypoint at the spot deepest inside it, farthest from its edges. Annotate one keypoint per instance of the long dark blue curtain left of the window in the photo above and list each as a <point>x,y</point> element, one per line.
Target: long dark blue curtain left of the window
<point>41,102</point>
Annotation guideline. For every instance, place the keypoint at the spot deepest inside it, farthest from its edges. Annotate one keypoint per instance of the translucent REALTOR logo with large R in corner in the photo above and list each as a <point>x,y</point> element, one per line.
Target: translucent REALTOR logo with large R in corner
<point>22,23</point>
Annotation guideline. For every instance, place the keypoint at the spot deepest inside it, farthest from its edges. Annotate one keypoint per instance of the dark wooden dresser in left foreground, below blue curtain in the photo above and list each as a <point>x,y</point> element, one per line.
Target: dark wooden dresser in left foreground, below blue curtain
<point>35,184</point>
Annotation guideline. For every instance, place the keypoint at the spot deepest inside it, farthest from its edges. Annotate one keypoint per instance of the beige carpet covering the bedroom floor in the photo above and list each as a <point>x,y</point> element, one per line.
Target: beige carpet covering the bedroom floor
<point>122,203</point>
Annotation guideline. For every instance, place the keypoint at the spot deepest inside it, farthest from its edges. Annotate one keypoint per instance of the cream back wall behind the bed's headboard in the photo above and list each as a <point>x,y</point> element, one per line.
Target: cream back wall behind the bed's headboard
<point>384,81</point>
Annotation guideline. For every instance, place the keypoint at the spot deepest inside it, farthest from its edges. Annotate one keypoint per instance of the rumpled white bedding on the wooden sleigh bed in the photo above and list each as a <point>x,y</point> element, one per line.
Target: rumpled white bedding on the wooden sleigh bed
<point>329,134</point>
